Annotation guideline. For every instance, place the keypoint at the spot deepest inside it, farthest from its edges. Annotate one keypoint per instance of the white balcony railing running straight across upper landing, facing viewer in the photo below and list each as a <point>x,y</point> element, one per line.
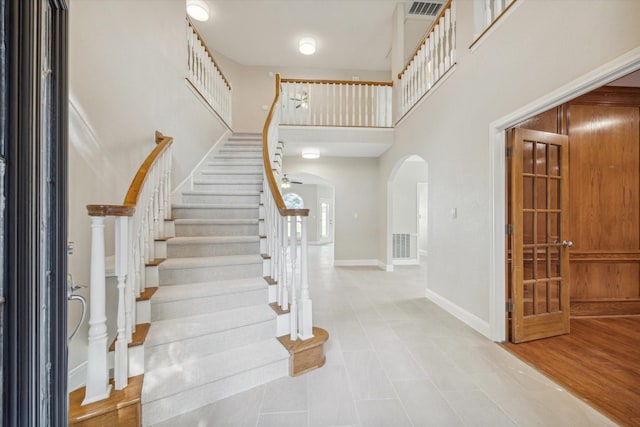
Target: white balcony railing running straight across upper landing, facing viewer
<point>336,103</point>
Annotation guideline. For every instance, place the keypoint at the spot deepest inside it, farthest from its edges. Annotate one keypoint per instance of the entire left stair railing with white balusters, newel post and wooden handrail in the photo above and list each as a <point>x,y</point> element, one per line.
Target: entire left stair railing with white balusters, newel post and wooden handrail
<point>138,222</point>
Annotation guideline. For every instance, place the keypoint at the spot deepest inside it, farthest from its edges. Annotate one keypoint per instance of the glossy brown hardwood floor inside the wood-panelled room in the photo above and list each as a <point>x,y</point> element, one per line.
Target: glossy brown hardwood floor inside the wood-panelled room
<point>599,361</point>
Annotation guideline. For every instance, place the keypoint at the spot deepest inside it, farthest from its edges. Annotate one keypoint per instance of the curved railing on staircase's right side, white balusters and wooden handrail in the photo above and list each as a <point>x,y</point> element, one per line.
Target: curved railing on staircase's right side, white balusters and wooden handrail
<point>288,266</point>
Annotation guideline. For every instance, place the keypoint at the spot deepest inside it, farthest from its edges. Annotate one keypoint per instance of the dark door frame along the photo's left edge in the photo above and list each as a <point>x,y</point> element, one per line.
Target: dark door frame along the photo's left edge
<point>34,316</point>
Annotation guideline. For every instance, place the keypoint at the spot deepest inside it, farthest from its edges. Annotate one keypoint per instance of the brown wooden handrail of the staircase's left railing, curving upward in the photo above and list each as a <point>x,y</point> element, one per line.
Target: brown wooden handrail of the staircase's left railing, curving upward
<point>128,207</point>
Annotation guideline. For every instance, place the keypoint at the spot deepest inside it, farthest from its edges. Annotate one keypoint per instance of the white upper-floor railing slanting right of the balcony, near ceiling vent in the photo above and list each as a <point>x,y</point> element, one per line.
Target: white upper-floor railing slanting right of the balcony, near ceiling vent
<point>433,57</point>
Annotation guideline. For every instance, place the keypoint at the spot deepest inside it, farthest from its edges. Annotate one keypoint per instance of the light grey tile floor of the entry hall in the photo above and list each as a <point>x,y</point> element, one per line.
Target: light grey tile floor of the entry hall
<point>396,359</point>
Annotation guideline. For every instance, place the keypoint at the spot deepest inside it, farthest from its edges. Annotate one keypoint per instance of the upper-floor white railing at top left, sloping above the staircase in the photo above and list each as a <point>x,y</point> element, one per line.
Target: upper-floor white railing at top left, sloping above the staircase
<point>204,74</point>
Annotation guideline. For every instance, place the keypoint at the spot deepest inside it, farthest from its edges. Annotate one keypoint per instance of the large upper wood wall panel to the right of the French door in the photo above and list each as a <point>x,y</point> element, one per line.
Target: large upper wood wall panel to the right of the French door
<point>605,173</point>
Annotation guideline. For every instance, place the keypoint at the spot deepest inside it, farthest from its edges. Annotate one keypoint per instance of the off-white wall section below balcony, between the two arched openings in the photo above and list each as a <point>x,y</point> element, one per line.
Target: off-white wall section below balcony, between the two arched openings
<point>356,200</point>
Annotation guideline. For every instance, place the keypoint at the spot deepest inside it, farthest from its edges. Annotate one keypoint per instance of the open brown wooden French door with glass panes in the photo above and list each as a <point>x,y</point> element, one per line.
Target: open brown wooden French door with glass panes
<point>539,241</point>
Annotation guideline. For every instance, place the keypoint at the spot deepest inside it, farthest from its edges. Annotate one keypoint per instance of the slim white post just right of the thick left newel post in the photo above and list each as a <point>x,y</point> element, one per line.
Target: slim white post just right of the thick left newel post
<point>121,368</point>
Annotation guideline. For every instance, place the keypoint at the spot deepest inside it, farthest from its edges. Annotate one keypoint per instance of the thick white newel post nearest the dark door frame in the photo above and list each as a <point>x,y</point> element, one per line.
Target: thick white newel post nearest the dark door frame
<point>98,386</point>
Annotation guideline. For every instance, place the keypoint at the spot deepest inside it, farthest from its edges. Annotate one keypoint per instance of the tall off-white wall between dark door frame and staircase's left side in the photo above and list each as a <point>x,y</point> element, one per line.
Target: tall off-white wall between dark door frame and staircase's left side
<point>127,66</point>
